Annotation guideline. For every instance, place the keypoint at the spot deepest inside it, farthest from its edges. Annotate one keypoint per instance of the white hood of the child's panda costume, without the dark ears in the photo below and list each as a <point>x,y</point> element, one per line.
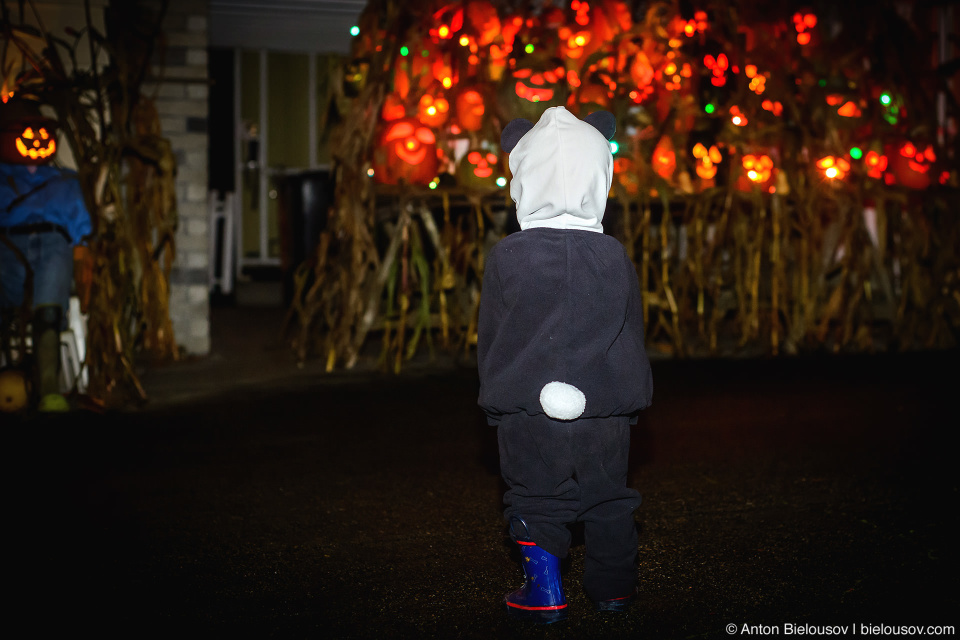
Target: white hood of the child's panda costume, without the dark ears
<point>562,170</point>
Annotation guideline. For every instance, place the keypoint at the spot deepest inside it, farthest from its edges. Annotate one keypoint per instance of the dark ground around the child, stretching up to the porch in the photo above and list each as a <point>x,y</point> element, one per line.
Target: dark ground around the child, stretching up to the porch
<point>252,500</point>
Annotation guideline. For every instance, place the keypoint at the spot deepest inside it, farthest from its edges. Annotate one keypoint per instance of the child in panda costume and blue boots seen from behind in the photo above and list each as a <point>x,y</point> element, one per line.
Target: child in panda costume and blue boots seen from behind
<point>563,369</point>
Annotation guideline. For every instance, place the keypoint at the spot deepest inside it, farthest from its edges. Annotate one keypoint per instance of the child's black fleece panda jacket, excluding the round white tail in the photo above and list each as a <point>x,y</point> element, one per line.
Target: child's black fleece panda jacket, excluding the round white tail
<point>564,305</point>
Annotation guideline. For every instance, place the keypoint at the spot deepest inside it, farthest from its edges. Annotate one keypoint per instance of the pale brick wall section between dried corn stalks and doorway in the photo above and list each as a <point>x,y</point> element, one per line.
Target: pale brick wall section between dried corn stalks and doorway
<point>182,92</point>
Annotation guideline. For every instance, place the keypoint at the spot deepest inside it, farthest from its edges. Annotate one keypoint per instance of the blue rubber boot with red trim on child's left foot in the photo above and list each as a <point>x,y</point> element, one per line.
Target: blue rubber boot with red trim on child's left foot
<point>541,597</point>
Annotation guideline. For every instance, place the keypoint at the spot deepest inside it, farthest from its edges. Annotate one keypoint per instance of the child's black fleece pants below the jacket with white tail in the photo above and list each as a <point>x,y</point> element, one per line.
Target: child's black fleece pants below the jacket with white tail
<point>558,473</point>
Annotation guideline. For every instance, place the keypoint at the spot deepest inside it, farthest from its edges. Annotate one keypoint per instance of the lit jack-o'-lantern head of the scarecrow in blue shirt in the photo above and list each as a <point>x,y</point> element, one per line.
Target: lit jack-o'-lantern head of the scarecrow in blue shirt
<point>26,136</point>
